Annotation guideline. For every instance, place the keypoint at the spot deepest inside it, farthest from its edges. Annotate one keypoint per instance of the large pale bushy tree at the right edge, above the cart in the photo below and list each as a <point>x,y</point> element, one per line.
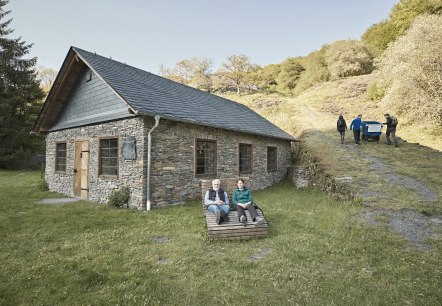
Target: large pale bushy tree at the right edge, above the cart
<point>411,69</point>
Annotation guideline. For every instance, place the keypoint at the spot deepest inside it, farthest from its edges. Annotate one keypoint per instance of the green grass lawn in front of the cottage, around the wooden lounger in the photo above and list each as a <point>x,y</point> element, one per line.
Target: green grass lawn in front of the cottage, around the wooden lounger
<point>319,252</point>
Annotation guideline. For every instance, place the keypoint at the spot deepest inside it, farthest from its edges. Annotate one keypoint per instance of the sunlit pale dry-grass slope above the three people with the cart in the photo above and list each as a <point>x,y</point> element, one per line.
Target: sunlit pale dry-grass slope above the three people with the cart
<point>319,107</point>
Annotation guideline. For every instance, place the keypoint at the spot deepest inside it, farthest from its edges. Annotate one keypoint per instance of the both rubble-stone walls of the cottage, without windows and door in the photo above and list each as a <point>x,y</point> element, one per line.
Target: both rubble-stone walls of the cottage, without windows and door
<point>173,178</point>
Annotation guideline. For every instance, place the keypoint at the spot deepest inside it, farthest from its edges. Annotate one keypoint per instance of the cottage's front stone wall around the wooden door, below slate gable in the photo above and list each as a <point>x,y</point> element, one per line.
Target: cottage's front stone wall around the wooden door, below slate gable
<point>131,172</point>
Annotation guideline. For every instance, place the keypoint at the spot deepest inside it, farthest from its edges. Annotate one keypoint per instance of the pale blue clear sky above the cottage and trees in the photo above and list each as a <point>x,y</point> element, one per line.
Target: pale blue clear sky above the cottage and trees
<point>147,34</point>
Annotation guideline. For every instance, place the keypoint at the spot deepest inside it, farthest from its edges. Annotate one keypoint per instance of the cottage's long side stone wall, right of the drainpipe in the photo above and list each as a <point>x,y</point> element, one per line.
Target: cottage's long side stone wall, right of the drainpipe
<point>173,173</point>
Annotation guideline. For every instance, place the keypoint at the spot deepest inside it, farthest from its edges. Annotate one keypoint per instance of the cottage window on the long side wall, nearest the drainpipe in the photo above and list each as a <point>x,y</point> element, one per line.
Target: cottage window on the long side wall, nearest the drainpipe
<point>205,156</point>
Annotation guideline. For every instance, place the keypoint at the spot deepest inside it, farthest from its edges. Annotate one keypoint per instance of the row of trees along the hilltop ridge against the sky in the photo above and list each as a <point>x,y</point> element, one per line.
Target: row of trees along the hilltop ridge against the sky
<point>340,59</point>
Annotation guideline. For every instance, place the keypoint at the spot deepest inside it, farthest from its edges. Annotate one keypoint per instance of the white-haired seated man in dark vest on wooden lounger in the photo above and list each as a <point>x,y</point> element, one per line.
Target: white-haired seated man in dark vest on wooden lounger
<point>217,201</point>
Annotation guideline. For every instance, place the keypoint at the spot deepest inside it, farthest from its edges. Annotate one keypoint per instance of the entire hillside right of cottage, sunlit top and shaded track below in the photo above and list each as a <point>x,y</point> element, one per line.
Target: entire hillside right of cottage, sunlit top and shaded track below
<point>400,187</point>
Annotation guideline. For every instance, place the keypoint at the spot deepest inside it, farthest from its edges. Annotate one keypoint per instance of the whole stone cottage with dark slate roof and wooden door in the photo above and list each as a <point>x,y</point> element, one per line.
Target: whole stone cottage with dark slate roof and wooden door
<point>109,125</point>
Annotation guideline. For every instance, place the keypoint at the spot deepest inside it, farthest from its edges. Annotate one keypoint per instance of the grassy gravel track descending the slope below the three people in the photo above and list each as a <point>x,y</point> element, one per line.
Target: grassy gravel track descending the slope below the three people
<point>389,181</point>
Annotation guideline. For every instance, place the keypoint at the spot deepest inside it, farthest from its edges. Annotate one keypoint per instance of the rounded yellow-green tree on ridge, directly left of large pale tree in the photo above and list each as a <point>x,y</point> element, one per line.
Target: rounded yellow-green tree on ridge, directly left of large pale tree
<point>346,58</point>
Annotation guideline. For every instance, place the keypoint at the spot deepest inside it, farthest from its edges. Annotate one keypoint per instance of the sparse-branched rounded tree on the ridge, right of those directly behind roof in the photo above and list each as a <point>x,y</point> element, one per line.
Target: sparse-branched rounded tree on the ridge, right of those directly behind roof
<point>236,72</point>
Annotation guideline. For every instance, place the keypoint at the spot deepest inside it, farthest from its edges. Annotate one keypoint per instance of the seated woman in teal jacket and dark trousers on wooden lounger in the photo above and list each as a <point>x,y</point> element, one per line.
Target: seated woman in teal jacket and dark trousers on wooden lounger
<point>242,198</point>
